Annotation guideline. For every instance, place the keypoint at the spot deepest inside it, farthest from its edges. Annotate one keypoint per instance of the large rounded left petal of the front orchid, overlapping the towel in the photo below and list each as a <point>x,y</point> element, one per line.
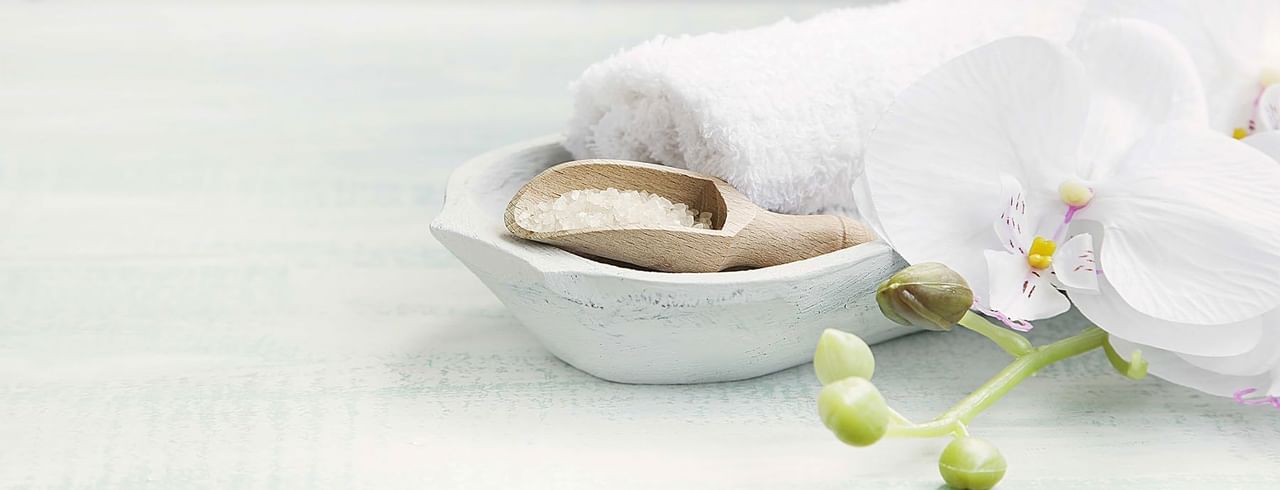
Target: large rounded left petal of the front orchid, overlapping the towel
<point>1014,107</point>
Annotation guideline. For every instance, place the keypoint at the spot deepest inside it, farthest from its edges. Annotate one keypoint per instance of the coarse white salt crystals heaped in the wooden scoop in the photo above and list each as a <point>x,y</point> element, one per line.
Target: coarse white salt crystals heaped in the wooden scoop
<point>611,209</point>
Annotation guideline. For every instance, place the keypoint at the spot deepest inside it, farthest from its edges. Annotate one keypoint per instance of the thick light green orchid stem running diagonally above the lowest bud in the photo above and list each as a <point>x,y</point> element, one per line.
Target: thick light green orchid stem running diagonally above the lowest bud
<point>1023,367</point>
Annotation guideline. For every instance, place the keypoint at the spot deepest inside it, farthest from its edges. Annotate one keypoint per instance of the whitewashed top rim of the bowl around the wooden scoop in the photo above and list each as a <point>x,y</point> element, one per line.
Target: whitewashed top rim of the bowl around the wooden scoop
<point>550,259</point>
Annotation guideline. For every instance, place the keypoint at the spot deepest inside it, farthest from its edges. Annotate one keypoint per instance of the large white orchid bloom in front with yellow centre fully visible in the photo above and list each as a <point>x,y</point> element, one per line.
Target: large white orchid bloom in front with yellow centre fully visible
<point>1108,138</point>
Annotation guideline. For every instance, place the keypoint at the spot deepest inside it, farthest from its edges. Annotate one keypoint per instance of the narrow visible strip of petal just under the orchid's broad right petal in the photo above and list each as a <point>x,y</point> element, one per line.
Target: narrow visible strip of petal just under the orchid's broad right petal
<point>1110,313</point>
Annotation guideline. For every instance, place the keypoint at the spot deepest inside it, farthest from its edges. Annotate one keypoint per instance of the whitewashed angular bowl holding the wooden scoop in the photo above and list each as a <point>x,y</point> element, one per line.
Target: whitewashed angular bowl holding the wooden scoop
<point>657,328</point>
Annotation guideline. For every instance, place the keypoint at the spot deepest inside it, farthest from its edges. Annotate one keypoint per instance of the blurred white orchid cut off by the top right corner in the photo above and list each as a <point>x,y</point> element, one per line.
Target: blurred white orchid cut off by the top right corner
<point>1236,47</point>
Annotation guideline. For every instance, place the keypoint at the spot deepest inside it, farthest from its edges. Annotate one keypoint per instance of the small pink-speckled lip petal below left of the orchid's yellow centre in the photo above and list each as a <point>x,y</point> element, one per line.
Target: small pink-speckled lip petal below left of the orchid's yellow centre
<point>1021,292</point>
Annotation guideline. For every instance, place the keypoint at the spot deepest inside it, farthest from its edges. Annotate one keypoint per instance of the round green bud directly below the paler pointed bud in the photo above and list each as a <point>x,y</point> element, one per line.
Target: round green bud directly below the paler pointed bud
<point>854,410</point>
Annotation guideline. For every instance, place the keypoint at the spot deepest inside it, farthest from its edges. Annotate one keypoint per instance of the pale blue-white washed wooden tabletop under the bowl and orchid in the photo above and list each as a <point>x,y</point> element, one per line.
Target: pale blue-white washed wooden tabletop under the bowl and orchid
<point>216,273</point>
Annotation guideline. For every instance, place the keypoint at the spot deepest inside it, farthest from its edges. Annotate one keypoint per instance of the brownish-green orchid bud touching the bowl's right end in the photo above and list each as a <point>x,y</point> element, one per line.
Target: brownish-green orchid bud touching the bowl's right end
<point>930,296</point>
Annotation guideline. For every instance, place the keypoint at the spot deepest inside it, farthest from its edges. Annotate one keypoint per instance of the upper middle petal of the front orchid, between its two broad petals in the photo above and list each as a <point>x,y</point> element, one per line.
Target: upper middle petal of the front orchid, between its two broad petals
<point>1141,77</point>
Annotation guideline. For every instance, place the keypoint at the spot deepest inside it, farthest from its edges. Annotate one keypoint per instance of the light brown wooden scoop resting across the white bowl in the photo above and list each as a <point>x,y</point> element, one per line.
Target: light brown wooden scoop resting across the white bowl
<point>743,235</point>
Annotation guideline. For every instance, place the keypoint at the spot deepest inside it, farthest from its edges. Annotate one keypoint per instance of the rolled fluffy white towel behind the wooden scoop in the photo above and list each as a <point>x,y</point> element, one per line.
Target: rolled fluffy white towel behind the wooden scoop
<point>781,112</point>
